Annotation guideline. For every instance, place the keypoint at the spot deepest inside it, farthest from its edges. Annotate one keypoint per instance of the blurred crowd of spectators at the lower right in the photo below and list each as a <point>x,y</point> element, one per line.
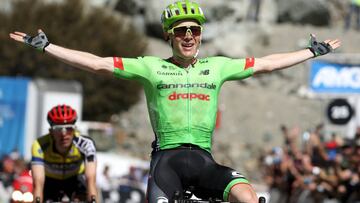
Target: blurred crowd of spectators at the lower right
<point>313,167</point>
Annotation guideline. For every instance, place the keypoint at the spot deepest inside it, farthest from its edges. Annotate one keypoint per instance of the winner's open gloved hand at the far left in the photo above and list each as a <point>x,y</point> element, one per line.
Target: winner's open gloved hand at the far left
<point>38,42</point>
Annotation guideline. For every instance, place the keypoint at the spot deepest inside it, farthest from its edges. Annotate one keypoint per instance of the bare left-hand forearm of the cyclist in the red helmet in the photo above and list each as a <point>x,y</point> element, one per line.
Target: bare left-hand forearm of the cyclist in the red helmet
<point>38,175</point>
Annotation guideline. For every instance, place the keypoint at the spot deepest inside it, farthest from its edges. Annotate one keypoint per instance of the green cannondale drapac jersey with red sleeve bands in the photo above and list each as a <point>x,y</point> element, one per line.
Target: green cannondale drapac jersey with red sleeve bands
<point>182,103</point>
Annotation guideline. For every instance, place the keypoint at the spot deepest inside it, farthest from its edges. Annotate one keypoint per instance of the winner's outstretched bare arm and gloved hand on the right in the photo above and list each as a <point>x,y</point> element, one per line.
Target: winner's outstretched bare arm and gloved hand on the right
<point>284,60</point>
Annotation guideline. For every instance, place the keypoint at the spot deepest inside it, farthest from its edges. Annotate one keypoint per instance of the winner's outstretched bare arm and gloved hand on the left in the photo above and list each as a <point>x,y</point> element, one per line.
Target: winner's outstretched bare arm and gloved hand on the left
<point>79,59</point>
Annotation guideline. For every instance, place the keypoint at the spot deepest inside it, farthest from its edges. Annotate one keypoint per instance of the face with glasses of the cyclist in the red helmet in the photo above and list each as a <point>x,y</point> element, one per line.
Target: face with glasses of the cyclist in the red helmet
<point>63,135</point>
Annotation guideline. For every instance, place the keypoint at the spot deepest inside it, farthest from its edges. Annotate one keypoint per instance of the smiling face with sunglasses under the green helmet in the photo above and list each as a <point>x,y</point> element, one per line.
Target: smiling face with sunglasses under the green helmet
<point>185,38</point>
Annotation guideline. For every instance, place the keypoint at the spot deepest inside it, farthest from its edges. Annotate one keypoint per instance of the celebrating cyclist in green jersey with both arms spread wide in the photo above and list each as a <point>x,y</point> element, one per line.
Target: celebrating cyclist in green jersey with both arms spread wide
<point>182,95</point>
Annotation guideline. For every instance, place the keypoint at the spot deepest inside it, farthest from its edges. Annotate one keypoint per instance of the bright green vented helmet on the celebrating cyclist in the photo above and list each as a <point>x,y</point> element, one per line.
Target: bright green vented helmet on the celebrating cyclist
<point>181,10</point>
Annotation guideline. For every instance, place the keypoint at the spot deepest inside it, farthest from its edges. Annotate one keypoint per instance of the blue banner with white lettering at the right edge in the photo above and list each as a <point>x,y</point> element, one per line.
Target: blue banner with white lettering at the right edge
<point>334,78</point>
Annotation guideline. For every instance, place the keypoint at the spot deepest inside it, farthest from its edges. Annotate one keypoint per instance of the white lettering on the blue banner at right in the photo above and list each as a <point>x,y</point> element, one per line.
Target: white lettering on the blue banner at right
<point>331,77</point>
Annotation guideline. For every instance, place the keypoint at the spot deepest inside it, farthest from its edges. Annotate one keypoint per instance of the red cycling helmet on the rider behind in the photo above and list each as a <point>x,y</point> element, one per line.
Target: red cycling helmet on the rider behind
<point>61,114</point>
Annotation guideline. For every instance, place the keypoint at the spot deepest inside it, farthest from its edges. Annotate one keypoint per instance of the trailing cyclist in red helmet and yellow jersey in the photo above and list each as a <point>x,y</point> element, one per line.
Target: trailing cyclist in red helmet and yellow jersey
<point>63,161</point>
